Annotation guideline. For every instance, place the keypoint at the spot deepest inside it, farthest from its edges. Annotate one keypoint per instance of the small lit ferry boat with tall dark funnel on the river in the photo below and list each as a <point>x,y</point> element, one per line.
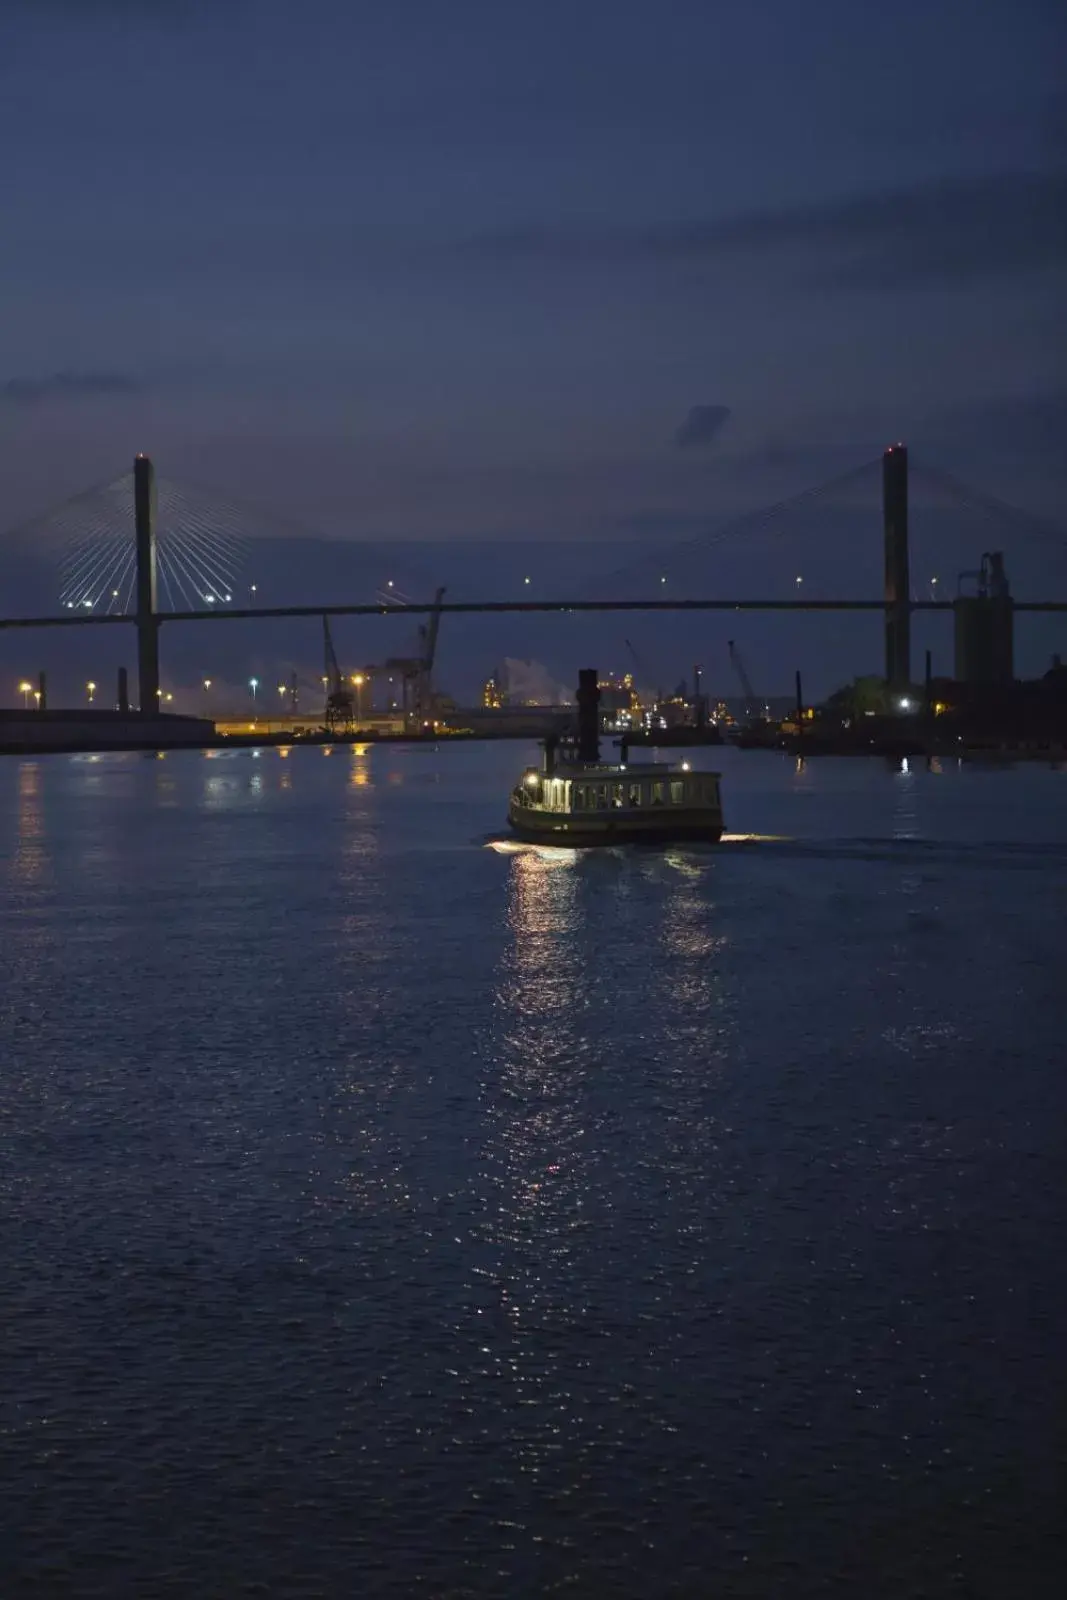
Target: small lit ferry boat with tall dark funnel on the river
<point>577,799</point>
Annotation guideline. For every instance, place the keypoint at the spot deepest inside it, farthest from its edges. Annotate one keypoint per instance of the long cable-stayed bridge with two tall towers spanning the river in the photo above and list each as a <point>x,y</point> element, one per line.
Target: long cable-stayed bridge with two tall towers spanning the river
<point>151,551</point>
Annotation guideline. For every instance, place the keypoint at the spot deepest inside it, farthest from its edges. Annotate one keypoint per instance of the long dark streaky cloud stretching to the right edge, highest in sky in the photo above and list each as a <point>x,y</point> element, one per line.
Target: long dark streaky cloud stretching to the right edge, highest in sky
<point>937,234</point>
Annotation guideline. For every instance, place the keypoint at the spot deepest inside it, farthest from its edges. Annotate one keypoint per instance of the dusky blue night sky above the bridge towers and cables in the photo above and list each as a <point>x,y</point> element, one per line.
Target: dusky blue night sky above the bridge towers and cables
<point>471,270</point>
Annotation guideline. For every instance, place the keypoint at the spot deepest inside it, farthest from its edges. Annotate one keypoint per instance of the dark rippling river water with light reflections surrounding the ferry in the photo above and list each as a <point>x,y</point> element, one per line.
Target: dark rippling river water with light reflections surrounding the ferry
<point>388,1215</point>
